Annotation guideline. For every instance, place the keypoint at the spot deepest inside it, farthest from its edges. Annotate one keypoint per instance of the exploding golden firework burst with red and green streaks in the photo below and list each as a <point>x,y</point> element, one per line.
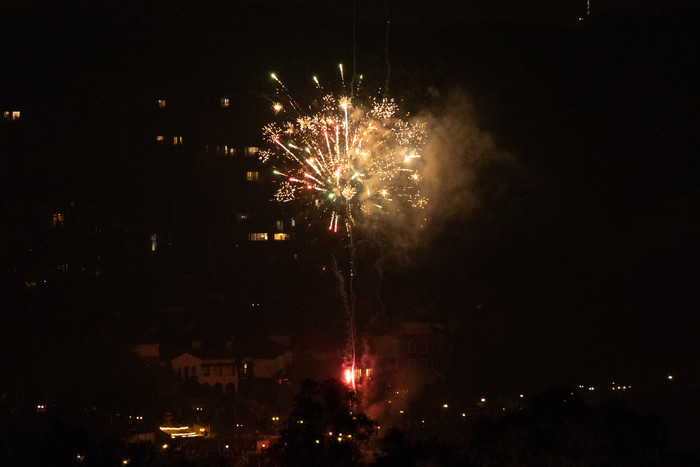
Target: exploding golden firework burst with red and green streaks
<point>347,156</point>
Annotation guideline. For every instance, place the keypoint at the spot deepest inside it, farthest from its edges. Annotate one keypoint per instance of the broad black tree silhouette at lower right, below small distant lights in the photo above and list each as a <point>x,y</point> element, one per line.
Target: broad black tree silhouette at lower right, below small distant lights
<point>560,429</point>
